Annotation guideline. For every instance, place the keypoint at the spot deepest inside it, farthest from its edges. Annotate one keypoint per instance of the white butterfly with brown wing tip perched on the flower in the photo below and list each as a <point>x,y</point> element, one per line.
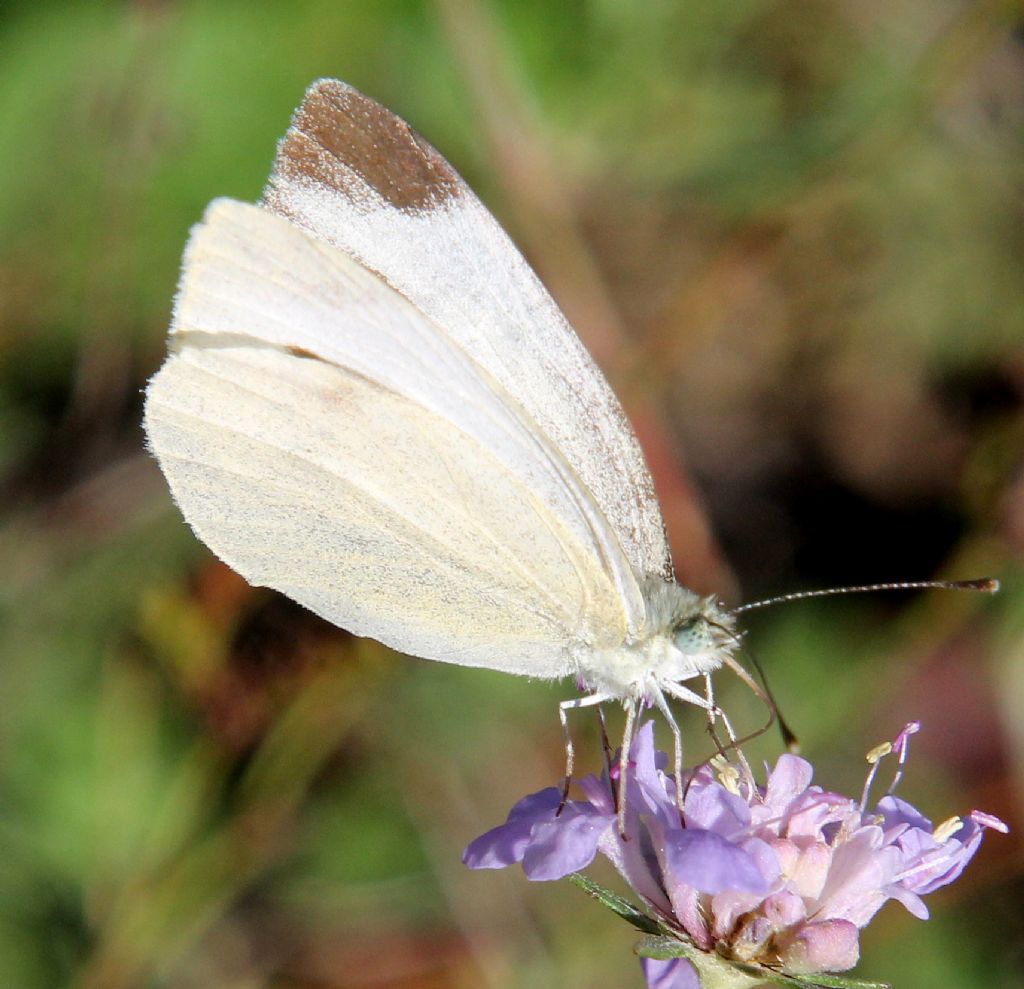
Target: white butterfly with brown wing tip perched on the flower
<point>373,406</point>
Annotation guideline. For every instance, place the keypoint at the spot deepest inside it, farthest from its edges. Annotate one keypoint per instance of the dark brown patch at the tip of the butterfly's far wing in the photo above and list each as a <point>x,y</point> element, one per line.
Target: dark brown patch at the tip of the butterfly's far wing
<point>347,142</point>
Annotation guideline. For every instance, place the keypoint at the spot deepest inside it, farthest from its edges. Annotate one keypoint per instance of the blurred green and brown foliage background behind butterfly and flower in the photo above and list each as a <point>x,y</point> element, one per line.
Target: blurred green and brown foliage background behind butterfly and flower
<point>794,229</point>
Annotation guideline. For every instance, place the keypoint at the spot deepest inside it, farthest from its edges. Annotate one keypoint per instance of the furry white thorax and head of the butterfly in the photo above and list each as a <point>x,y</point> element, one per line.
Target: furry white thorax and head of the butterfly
<point>639,670</point>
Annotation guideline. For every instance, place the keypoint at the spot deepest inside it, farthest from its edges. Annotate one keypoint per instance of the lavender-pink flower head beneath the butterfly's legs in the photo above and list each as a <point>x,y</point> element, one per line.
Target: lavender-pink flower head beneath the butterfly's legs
<point>783,877</point>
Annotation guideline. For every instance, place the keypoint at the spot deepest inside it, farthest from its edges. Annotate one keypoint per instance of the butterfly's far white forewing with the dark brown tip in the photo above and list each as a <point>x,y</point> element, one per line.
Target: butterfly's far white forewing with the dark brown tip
<point>359,178</point>
